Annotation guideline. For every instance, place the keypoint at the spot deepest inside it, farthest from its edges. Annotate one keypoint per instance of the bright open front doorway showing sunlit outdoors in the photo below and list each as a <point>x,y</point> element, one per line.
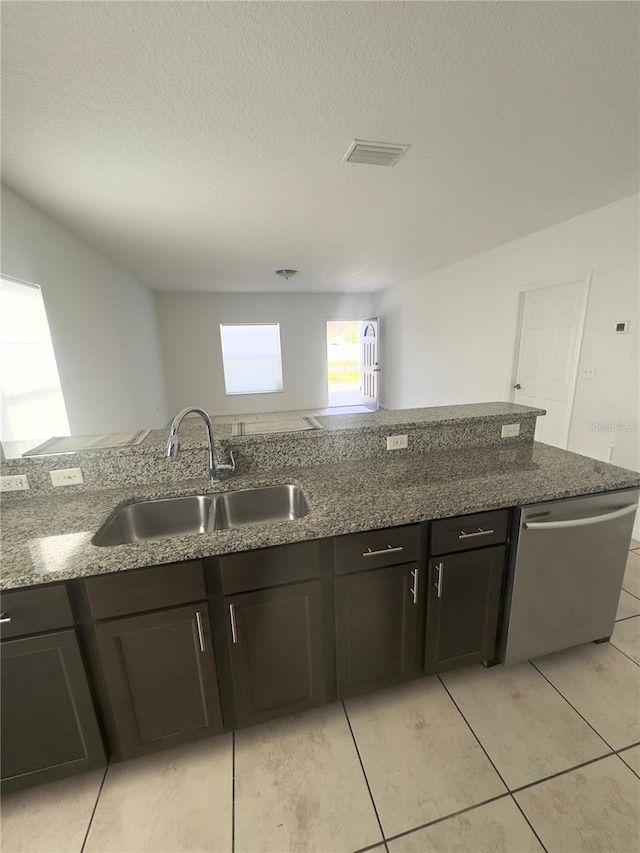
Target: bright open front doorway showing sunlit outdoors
<point>343,363</point>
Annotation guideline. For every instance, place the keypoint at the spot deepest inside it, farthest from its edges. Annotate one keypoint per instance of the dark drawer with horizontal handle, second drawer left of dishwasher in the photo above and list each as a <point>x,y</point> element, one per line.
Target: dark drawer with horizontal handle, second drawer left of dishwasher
<point>377,548</point>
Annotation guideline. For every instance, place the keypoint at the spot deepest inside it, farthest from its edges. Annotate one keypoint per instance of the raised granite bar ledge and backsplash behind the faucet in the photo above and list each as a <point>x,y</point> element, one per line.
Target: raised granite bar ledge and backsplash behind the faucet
<point>342,438</point>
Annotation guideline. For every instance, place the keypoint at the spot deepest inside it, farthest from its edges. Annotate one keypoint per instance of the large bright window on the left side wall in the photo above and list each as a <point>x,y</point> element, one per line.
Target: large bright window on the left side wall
<point>32,405</point>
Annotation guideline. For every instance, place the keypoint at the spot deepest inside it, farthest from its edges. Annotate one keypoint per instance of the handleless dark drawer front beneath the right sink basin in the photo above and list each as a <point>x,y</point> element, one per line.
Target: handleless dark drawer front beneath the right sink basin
<point>269,567</point>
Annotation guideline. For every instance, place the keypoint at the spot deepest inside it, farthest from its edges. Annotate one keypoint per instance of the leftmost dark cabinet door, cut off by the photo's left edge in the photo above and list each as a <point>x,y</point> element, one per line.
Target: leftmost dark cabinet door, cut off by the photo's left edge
<point>49,727</point>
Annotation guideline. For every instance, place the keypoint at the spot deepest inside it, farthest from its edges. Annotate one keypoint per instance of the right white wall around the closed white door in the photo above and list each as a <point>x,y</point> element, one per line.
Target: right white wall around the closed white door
<point>449,336</point>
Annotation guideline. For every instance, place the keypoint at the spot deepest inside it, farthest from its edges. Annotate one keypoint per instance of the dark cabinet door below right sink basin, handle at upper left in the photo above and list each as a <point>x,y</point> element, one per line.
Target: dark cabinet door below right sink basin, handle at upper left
<point>277,653</point>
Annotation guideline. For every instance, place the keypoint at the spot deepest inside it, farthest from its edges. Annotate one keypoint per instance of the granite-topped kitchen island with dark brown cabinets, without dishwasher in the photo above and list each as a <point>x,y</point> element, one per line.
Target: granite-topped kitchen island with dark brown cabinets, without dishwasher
<point>399,570</point>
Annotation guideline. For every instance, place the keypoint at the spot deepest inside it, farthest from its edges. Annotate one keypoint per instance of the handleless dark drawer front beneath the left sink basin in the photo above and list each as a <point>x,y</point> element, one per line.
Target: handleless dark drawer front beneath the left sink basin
<point>145,589</point>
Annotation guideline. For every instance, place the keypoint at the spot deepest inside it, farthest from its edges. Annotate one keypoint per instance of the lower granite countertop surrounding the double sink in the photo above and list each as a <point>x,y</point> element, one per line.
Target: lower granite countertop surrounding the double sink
<point>48,539</point>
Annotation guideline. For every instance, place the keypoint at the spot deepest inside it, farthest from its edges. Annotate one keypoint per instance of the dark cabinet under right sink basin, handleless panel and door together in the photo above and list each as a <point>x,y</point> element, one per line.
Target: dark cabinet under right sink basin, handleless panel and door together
<point>270,609</point>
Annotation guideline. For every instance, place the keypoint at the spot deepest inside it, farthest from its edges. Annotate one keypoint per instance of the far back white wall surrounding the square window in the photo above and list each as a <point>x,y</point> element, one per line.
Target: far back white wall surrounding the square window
<point>190,340</point>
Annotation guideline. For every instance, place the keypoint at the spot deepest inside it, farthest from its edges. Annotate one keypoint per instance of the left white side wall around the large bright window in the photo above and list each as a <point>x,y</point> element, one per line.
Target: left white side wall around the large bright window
<point>102,322</point>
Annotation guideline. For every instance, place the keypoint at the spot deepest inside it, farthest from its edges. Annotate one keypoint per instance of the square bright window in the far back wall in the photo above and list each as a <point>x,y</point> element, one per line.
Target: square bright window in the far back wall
<point>251,358</point>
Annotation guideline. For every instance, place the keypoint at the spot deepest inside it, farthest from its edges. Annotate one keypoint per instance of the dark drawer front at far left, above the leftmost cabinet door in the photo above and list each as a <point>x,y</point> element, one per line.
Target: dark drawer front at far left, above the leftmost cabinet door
<point>34,610</point>
